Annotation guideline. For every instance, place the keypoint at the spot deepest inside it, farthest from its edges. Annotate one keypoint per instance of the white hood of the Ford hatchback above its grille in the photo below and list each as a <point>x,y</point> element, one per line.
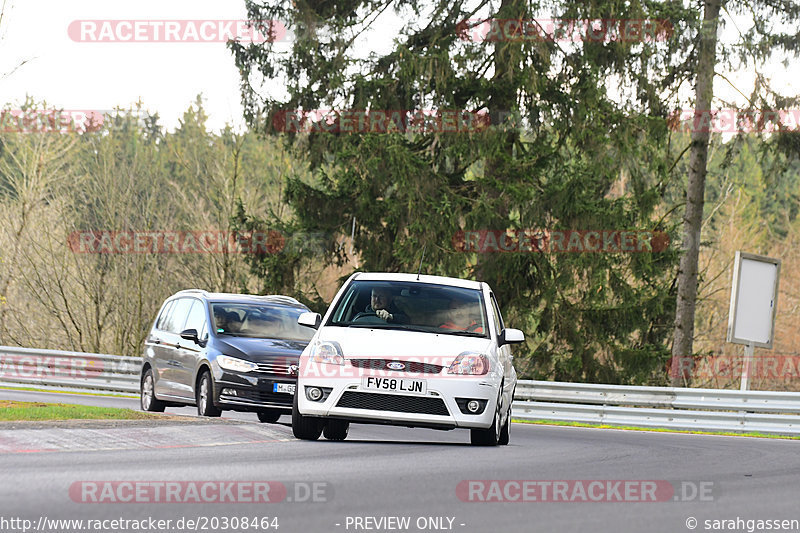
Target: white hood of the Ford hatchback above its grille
<point>368,343</point>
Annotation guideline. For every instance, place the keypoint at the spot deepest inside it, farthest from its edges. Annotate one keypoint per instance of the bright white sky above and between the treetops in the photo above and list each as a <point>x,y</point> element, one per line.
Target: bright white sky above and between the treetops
<point>165,76</point>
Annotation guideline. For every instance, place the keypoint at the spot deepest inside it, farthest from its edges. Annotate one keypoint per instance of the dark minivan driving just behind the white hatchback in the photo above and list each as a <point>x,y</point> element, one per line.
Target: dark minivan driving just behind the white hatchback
<point>224,352</point>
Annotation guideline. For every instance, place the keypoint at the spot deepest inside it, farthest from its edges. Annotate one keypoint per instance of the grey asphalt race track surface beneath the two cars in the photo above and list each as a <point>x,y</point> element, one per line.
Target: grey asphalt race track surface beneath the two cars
<point>380,473</point>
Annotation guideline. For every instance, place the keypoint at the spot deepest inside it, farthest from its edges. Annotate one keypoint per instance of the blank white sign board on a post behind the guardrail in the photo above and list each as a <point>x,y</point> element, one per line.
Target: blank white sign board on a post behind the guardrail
<point>754,298</point>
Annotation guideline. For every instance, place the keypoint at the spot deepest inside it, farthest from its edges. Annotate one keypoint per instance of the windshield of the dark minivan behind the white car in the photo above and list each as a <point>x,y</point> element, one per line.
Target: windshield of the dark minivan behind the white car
<point>262,321</point>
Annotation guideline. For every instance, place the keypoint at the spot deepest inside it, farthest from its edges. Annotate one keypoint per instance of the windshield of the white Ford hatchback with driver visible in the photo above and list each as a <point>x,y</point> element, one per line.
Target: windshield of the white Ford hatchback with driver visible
<point>412,306</point>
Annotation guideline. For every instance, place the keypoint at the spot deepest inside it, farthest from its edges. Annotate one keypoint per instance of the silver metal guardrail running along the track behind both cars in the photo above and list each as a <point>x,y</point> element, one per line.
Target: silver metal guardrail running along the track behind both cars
<point>658,407</point>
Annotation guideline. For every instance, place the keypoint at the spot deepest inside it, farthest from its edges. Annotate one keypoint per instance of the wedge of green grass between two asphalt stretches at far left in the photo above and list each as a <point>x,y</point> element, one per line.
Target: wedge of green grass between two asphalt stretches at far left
<point>17,411</point>
